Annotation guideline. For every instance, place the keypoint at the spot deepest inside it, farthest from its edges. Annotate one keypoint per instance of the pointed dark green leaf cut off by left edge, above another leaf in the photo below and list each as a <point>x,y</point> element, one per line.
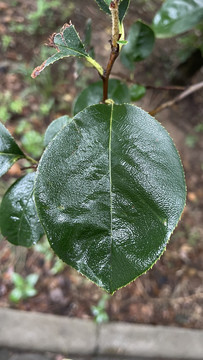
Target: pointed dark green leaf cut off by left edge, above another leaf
<point>9,150</point>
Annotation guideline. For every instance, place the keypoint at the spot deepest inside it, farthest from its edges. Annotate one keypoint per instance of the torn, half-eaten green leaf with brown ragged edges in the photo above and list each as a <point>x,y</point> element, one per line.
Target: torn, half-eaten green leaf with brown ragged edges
<point>67,43</point>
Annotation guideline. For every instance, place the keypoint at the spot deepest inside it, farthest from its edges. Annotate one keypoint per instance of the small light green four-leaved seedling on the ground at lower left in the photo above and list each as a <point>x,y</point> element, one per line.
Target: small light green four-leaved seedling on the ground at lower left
<point>23,287</point>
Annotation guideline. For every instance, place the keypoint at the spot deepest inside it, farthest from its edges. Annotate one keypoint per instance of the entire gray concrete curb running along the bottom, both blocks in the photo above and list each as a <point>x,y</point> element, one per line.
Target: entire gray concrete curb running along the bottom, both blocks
<point>31,331</point>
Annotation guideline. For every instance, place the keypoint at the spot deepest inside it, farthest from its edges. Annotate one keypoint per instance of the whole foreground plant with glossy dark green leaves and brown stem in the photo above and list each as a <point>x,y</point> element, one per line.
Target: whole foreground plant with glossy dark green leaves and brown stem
<point>109,188</point>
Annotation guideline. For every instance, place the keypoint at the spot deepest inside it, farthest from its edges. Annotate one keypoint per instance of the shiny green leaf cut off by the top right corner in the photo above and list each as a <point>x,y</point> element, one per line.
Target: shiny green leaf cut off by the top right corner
<point>177,16</point>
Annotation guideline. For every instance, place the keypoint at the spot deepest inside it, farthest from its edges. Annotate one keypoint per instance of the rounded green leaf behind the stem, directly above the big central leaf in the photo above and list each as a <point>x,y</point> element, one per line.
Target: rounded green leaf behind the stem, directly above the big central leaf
<point>93,94</point>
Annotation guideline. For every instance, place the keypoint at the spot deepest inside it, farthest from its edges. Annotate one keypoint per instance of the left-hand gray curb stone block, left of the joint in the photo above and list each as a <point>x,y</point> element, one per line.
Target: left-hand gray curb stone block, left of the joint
<point>43,332</point>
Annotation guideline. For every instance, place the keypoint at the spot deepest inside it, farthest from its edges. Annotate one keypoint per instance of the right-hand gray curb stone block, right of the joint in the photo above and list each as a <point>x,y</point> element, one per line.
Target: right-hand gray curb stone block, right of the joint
<point>151,342</point>
